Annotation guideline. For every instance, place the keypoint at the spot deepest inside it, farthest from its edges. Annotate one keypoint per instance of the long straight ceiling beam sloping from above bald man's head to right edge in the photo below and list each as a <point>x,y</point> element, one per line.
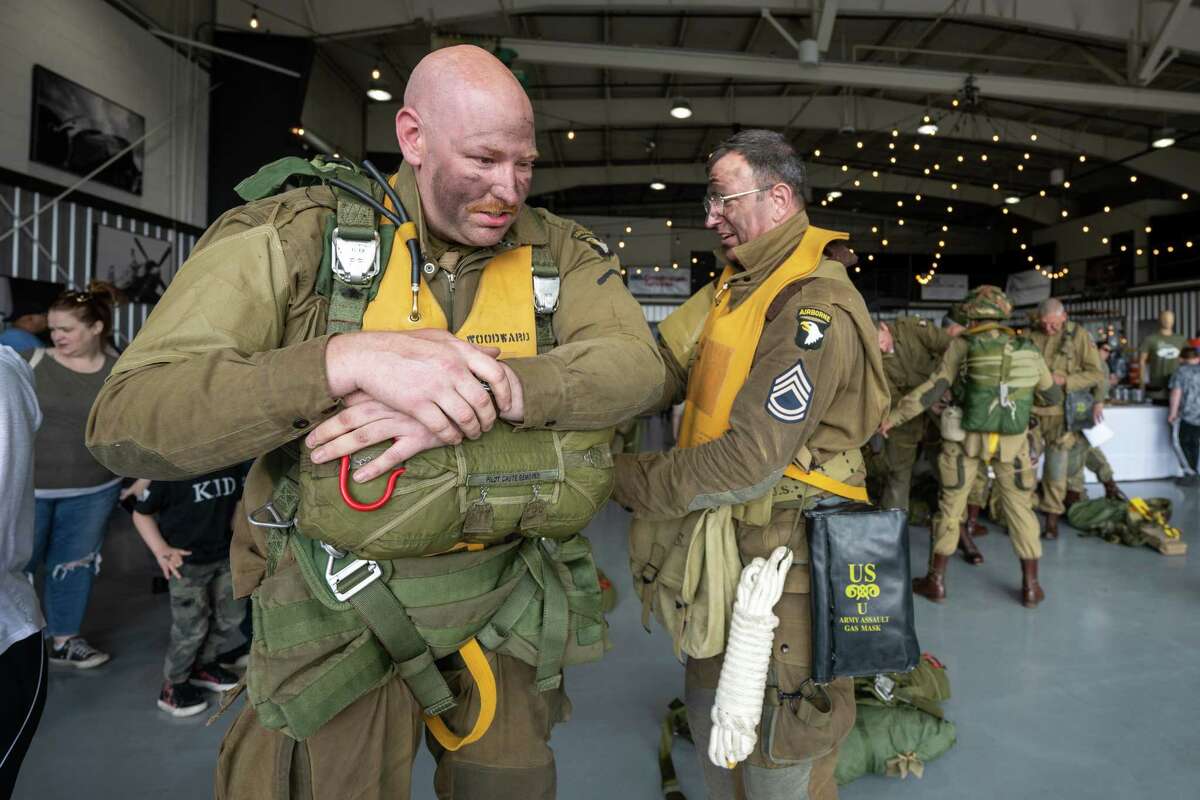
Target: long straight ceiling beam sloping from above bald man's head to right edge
<point>855,76</point>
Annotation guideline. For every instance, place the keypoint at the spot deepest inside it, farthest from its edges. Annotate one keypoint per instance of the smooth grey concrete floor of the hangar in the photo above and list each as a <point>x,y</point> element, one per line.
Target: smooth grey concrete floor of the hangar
<point>1091,696</point>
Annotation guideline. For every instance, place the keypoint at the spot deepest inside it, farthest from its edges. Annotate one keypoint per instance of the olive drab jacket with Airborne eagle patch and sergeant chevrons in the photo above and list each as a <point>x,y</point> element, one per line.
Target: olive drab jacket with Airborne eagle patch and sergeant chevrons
<point>849,392</point>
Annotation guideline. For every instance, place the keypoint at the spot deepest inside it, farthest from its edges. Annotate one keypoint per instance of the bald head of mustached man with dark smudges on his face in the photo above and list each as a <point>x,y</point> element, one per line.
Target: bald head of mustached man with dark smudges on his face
<point>467,131</point>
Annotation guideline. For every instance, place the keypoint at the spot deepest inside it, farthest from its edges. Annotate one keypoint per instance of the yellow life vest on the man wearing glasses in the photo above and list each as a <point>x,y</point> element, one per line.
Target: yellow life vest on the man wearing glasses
<point>728,346</point>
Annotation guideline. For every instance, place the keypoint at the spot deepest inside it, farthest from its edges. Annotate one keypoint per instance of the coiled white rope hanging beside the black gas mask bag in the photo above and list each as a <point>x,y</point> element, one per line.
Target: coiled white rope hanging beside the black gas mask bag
<point>743,683</point>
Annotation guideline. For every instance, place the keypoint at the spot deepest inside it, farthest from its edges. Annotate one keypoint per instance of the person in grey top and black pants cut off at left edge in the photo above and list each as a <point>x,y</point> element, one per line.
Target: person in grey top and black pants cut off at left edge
<point>22,651</point>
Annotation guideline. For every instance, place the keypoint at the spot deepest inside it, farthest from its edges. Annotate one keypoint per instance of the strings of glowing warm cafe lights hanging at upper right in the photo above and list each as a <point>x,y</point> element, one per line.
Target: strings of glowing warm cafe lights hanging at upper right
<point>933,171</point>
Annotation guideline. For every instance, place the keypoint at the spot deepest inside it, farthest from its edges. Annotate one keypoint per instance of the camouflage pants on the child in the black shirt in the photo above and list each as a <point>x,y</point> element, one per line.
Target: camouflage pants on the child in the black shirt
<point>205,618</point>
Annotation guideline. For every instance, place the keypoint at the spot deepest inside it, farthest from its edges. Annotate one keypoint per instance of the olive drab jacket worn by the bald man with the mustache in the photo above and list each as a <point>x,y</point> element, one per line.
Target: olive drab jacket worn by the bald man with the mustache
<point>231,365</point>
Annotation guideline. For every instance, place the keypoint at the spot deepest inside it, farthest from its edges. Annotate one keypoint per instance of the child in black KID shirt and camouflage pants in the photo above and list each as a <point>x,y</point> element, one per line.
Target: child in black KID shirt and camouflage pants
<point>190,543</point>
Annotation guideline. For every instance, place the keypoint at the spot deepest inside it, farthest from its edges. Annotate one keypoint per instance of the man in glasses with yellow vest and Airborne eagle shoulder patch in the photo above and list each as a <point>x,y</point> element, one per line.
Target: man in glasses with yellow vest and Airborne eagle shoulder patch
<point>781,372</point>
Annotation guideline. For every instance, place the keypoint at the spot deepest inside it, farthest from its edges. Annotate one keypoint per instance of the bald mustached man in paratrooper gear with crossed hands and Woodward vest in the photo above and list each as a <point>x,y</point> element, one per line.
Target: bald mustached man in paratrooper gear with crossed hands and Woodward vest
<point>491,368</point>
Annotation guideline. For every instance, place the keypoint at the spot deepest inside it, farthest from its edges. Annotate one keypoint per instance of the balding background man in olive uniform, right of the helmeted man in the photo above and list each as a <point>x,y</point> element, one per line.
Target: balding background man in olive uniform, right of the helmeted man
<point>1076,364</point>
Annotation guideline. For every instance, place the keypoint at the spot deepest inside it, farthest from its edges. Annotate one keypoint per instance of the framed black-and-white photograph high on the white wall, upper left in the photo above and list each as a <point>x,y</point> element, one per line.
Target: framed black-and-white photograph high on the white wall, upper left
<point>77,130</point>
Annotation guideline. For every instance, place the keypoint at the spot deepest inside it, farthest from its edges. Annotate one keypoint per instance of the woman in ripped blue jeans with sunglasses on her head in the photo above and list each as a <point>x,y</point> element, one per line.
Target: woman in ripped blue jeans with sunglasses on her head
<point>75,494</point>
